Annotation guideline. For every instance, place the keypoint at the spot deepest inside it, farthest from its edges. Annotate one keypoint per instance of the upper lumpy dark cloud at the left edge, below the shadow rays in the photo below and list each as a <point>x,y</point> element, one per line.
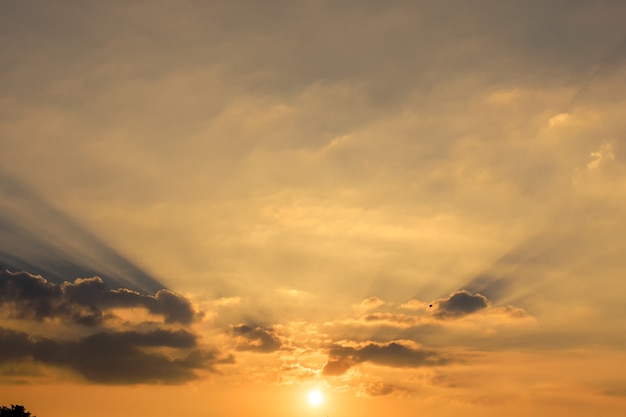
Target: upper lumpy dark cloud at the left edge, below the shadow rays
<point>84,301</point>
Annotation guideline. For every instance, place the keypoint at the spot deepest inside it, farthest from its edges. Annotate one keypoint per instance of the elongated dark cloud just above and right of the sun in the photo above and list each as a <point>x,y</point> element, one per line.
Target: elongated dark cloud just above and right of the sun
<point>393,354</point>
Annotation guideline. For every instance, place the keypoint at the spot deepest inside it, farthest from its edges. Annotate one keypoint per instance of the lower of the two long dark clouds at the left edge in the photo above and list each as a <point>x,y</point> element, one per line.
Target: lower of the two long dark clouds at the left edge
<point>117,357</point>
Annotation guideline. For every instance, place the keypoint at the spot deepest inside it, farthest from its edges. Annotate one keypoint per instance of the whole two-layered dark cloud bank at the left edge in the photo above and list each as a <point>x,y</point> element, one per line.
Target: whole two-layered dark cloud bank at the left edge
<point>167,353</point>
